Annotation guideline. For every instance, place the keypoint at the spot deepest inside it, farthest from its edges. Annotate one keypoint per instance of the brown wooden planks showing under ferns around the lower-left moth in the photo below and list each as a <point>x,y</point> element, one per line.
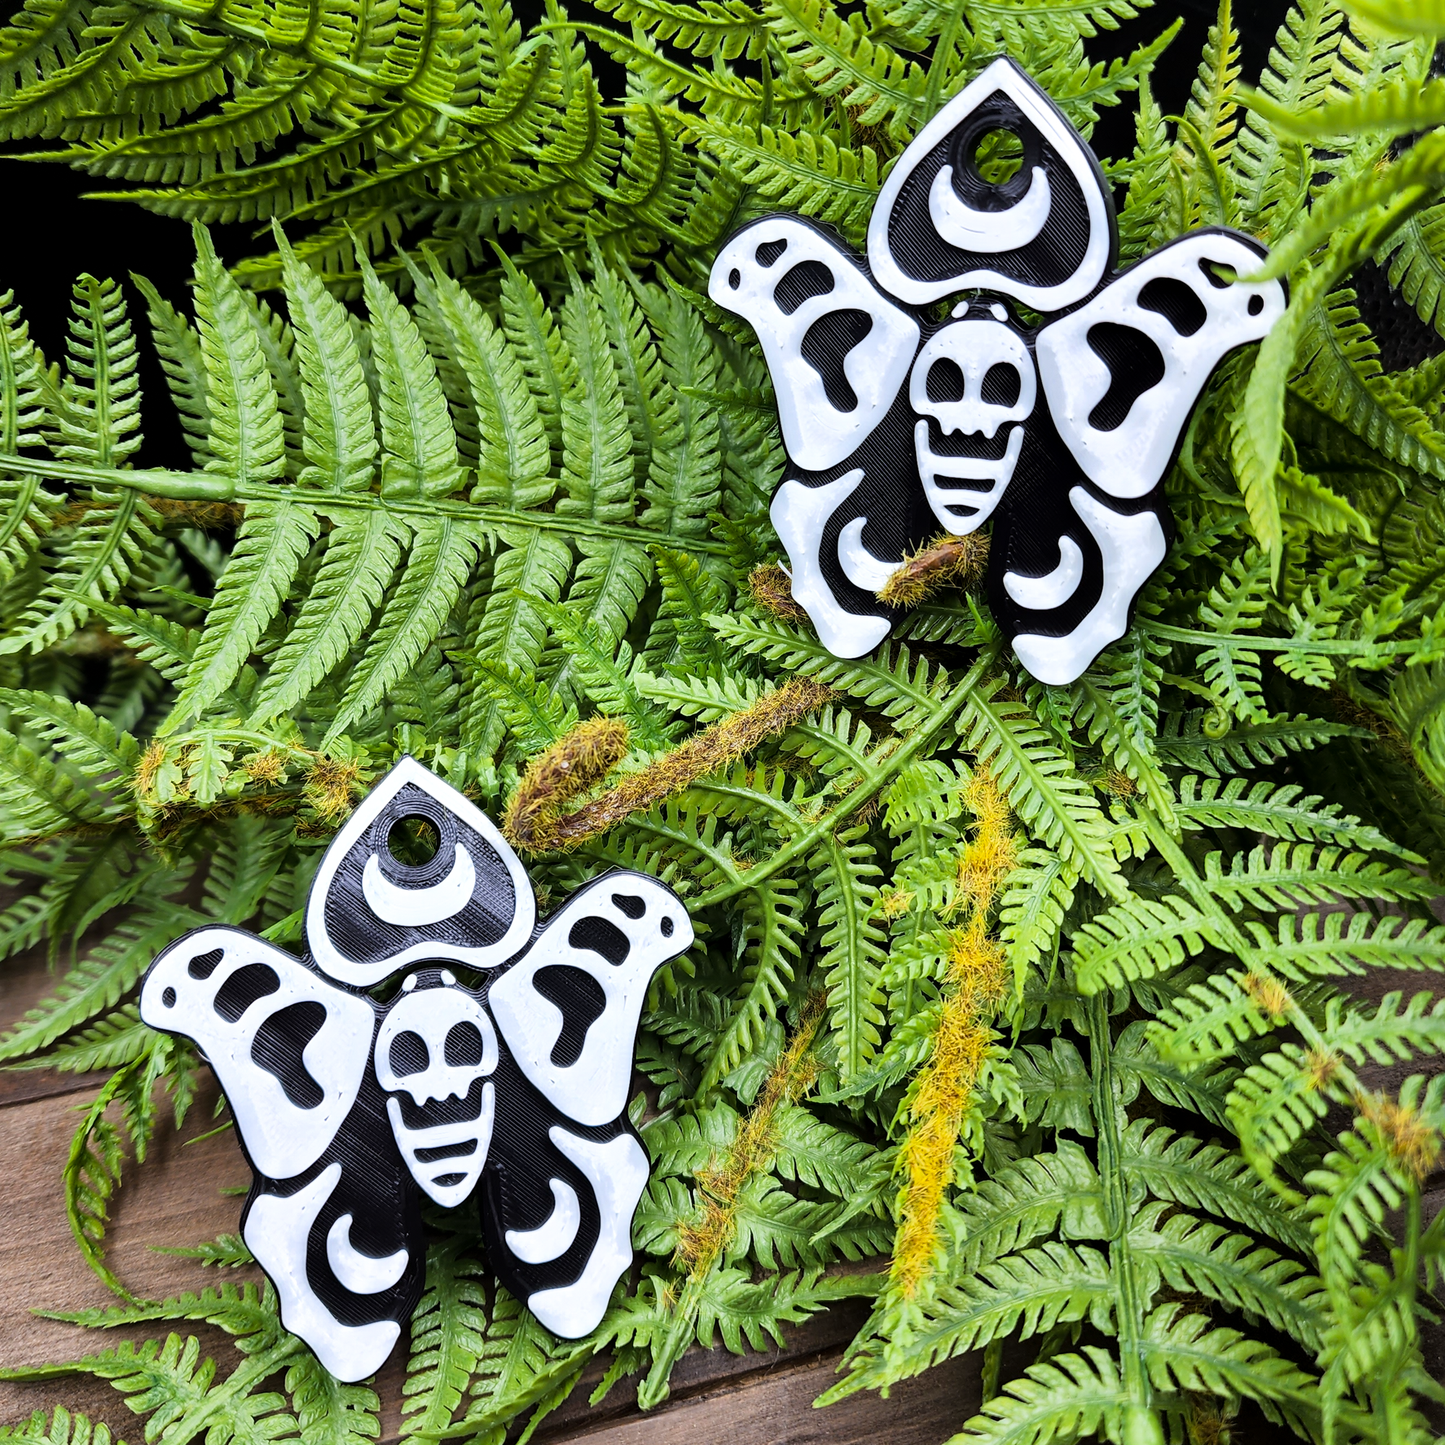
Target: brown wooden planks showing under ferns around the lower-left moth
<point>180,1197</point>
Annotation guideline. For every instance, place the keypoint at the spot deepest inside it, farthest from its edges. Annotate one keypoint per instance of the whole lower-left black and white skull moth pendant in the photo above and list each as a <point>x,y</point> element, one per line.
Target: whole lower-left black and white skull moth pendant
<point>514,1093</point>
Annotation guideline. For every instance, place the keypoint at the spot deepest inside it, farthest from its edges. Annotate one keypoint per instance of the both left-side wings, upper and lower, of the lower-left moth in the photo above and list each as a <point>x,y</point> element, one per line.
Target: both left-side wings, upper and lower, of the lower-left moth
<point>333,1216</point>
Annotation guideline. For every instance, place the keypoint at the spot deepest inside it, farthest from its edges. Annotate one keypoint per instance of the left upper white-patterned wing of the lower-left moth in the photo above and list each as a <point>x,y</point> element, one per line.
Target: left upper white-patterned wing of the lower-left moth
<point>290,1048</point>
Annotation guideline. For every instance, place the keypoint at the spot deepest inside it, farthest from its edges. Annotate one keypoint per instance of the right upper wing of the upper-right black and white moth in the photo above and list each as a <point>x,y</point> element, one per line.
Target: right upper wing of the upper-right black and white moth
<point>1123,374</point>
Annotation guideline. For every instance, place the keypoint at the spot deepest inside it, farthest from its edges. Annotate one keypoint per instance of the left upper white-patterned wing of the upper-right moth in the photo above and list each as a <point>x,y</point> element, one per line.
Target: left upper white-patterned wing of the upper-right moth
<point>837,348</point>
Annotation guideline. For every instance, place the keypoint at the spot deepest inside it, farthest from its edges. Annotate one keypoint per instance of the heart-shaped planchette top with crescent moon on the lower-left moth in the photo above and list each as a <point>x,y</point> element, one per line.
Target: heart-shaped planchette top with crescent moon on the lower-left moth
<point>369,915</point>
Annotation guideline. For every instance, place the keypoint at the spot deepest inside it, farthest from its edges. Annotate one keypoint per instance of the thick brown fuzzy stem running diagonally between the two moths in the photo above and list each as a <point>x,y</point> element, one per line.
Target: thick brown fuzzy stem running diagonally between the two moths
<point>712,751</point>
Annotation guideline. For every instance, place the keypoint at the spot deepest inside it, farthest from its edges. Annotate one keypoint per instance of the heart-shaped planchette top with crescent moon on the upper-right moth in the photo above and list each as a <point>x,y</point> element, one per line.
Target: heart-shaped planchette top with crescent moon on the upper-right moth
<point>1045,236</point>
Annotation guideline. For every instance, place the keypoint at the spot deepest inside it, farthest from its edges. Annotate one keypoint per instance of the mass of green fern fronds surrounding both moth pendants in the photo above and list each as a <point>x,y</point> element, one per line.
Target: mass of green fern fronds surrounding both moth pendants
<point>1035,999</point>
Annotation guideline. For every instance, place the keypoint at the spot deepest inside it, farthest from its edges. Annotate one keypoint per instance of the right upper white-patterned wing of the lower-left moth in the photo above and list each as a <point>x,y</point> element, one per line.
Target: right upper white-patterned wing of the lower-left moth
<point>569,1009</point>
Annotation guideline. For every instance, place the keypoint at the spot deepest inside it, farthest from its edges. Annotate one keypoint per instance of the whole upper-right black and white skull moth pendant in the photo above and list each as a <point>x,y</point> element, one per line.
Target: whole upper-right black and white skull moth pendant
<point>898,421</point>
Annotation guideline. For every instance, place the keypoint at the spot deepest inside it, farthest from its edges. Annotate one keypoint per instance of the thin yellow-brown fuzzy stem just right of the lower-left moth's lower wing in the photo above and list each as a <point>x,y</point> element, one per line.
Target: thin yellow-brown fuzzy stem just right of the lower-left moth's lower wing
<point>703,1241</point>
